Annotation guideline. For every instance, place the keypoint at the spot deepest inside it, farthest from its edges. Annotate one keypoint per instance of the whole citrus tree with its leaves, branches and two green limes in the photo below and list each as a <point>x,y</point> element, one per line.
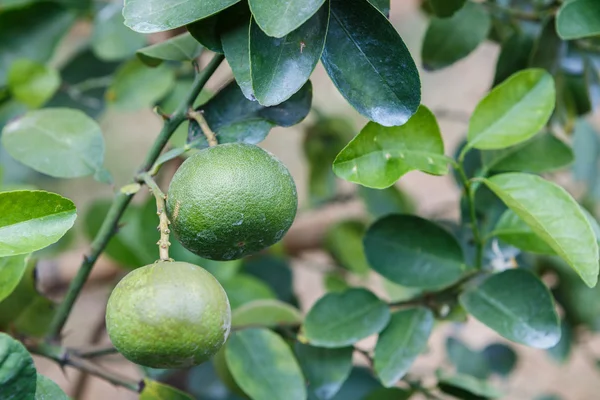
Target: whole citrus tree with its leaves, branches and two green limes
<point>211,291</point>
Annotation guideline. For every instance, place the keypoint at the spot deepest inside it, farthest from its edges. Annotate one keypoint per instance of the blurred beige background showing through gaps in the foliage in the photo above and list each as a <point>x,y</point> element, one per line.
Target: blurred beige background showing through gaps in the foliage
<point>571,372</point>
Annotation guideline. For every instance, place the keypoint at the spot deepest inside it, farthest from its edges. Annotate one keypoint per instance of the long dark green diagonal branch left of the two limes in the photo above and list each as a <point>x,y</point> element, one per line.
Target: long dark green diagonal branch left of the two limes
<point>122,199</point>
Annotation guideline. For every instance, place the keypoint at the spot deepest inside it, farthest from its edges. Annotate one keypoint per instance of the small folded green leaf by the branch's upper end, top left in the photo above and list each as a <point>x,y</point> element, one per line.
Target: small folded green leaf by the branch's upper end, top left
<point>179,48</point>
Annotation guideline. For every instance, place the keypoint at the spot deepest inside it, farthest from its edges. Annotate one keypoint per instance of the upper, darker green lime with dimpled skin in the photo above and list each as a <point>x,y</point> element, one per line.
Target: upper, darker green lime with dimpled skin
<point>231,200</point>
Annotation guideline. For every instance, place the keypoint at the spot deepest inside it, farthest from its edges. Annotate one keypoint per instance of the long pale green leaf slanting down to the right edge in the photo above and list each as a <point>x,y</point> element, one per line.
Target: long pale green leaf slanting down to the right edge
<point>553,215</point>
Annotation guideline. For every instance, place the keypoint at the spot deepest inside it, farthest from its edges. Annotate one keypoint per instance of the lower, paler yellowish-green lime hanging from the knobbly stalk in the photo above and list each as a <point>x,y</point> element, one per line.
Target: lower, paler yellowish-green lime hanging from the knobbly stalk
<point>168,315</point>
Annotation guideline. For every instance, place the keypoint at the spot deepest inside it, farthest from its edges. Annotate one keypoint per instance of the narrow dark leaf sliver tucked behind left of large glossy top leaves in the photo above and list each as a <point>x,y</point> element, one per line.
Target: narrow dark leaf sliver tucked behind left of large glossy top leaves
<point>234,30</point>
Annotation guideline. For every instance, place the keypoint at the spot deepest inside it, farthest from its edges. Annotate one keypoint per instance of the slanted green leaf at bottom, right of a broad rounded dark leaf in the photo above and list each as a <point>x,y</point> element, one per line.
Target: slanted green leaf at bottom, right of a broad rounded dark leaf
<point>401,342</point>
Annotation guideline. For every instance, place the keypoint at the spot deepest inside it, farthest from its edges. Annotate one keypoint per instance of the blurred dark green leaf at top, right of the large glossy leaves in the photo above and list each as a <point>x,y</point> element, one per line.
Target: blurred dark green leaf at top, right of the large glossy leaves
<point>448,40</point>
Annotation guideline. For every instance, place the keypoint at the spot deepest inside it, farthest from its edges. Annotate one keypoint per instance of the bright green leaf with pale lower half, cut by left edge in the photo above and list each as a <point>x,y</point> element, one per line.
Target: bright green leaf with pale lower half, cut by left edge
<point>32,220</point>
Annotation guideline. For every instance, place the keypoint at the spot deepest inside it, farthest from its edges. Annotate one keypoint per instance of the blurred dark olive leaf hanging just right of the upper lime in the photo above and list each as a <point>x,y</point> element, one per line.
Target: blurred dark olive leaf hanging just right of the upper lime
<point>322,142</point>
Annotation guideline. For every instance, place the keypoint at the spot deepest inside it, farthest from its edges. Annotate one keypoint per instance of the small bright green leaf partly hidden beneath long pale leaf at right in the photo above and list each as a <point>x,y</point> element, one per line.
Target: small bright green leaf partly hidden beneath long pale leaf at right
<point>511,229</point>
